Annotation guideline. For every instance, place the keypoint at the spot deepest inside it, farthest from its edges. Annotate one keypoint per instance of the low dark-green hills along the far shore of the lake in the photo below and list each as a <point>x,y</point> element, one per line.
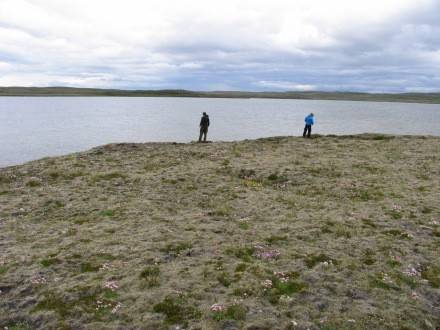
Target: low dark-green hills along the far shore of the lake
<point>349,96</point>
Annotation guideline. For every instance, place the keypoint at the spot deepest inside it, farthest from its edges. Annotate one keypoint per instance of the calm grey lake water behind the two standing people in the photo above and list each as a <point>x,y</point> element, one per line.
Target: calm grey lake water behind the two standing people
<point>36,127</point>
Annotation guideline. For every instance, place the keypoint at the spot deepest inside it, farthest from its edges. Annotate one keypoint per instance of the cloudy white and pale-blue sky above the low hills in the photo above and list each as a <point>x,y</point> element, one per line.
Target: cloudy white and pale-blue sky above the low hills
<point>251,45</point>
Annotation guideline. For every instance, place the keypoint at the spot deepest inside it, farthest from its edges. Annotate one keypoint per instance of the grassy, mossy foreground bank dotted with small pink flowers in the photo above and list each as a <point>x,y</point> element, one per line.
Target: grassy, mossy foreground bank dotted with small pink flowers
<point>278,233</point>
